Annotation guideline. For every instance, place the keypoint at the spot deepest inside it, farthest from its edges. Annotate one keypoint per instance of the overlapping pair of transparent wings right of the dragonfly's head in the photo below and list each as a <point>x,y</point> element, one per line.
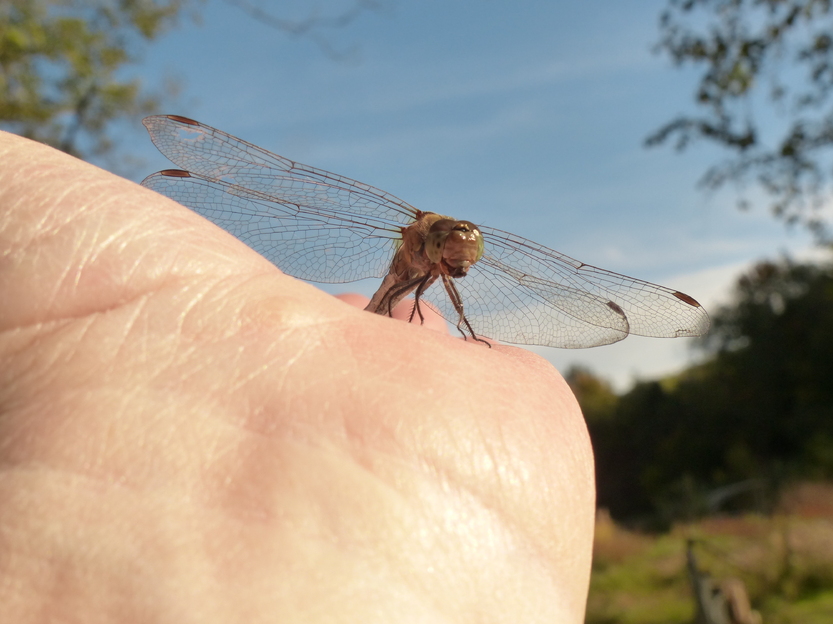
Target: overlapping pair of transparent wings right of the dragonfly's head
<point>525,293</point>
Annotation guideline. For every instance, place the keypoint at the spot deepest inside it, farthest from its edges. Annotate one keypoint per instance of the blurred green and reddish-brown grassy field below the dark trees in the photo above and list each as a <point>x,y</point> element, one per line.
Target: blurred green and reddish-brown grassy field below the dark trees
<point>784,560</point>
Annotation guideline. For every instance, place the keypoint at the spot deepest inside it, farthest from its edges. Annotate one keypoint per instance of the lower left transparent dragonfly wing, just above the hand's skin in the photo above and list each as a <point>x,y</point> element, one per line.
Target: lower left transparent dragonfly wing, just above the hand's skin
<point>312,243</point>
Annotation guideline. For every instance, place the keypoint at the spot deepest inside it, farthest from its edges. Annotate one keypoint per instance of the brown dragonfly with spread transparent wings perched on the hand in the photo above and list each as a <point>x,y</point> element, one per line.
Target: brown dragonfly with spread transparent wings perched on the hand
<point>323,227</point>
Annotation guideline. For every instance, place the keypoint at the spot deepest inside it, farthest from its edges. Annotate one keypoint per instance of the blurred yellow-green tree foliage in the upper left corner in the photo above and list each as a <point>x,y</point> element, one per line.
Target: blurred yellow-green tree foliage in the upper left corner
<point>61,63</point>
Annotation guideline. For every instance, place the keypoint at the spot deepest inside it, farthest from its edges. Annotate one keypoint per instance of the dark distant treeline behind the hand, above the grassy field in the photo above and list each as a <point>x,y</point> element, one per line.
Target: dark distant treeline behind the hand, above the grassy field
<point>726,433</point>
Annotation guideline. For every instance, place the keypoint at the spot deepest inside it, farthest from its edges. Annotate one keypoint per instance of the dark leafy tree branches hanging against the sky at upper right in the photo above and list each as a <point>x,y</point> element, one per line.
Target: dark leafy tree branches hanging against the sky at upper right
<point>778,53</point>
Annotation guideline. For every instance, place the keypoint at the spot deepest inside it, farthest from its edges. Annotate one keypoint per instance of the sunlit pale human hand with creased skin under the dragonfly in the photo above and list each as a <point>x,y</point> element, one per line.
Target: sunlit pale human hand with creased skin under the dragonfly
<point>188,435</point>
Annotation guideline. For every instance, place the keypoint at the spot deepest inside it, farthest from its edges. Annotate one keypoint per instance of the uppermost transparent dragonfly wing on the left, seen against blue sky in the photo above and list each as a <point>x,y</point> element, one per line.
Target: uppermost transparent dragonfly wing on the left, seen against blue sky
<point>213,153</point>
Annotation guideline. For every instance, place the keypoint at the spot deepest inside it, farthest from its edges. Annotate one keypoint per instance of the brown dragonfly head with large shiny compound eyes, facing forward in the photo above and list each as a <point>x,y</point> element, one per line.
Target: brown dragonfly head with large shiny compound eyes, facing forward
<point>454,245</point>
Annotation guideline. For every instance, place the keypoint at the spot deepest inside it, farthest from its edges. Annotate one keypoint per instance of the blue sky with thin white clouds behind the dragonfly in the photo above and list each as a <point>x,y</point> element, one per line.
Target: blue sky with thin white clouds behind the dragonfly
<point>526,116</point>
